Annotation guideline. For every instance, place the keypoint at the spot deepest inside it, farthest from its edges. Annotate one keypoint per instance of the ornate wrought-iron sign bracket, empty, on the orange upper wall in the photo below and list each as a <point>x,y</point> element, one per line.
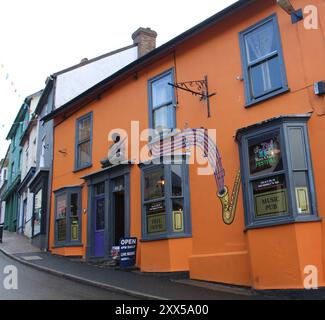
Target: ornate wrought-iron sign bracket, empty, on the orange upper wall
<point>197,88</point>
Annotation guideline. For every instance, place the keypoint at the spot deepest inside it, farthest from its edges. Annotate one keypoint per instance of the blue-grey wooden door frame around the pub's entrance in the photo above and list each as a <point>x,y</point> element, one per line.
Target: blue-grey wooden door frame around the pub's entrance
<point>107,176</point>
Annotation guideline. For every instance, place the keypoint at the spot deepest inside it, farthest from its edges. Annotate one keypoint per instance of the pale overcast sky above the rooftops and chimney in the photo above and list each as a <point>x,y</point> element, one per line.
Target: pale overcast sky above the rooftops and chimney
<point>40,37</point>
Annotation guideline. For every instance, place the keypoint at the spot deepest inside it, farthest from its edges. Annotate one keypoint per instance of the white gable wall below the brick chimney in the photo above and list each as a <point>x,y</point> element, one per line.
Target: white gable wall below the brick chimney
<point>71,84</point>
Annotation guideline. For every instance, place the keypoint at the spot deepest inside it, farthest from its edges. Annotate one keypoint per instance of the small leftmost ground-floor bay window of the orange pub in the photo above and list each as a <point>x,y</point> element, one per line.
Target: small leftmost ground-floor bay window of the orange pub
<point>68,216</point>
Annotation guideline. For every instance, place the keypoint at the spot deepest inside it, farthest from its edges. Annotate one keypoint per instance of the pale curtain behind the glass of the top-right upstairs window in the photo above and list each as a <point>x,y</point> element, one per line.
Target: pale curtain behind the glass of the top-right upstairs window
<point>259,44</point>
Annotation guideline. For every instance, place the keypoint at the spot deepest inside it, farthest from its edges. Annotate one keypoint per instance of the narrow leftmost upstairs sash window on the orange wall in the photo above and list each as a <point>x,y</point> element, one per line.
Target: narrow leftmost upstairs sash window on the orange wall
<point>83,142</point>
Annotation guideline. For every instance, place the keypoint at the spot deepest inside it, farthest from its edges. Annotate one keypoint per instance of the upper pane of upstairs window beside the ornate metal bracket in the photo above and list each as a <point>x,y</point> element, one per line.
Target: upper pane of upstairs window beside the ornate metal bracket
<point>162,93</point>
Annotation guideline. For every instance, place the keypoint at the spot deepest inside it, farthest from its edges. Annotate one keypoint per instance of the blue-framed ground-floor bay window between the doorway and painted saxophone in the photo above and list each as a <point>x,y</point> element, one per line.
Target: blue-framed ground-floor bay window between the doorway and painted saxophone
<point>165,198</point>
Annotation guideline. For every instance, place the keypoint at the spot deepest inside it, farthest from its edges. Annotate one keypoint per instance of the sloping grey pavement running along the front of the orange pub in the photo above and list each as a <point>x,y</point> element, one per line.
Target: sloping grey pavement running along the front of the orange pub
<point>131,283</point>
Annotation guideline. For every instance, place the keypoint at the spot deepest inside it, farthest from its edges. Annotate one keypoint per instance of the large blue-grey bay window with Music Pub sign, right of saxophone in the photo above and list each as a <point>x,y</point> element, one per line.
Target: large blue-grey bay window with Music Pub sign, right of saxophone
<point>277,172</point>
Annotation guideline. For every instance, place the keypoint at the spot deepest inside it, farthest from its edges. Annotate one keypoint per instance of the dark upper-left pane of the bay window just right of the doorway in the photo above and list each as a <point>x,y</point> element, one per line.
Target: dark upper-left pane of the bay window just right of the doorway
<point>154,184</point>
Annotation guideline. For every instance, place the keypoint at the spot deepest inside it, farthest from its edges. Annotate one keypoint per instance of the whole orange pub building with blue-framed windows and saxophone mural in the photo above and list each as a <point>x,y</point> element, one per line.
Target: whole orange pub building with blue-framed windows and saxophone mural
<point>258,74</point>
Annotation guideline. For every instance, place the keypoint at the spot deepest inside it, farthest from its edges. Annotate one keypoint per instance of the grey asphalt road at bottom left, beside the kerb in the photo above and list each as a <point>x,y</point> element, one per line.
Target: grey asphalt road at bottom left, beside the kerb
<point>37,285</point>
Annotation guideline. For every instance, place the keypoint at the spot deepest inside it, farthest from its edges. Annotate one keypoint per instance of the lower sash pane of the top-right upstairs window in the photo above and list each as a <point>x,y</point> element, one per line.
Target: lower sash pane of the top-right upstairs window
<point>266,77</point>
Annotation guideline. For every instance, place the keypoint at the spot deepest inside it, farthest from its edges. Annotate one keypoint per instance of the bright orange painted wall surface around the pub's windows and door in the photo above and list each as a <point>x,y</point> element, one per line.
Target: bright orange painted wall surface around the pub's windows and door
<point>266,258</point>
